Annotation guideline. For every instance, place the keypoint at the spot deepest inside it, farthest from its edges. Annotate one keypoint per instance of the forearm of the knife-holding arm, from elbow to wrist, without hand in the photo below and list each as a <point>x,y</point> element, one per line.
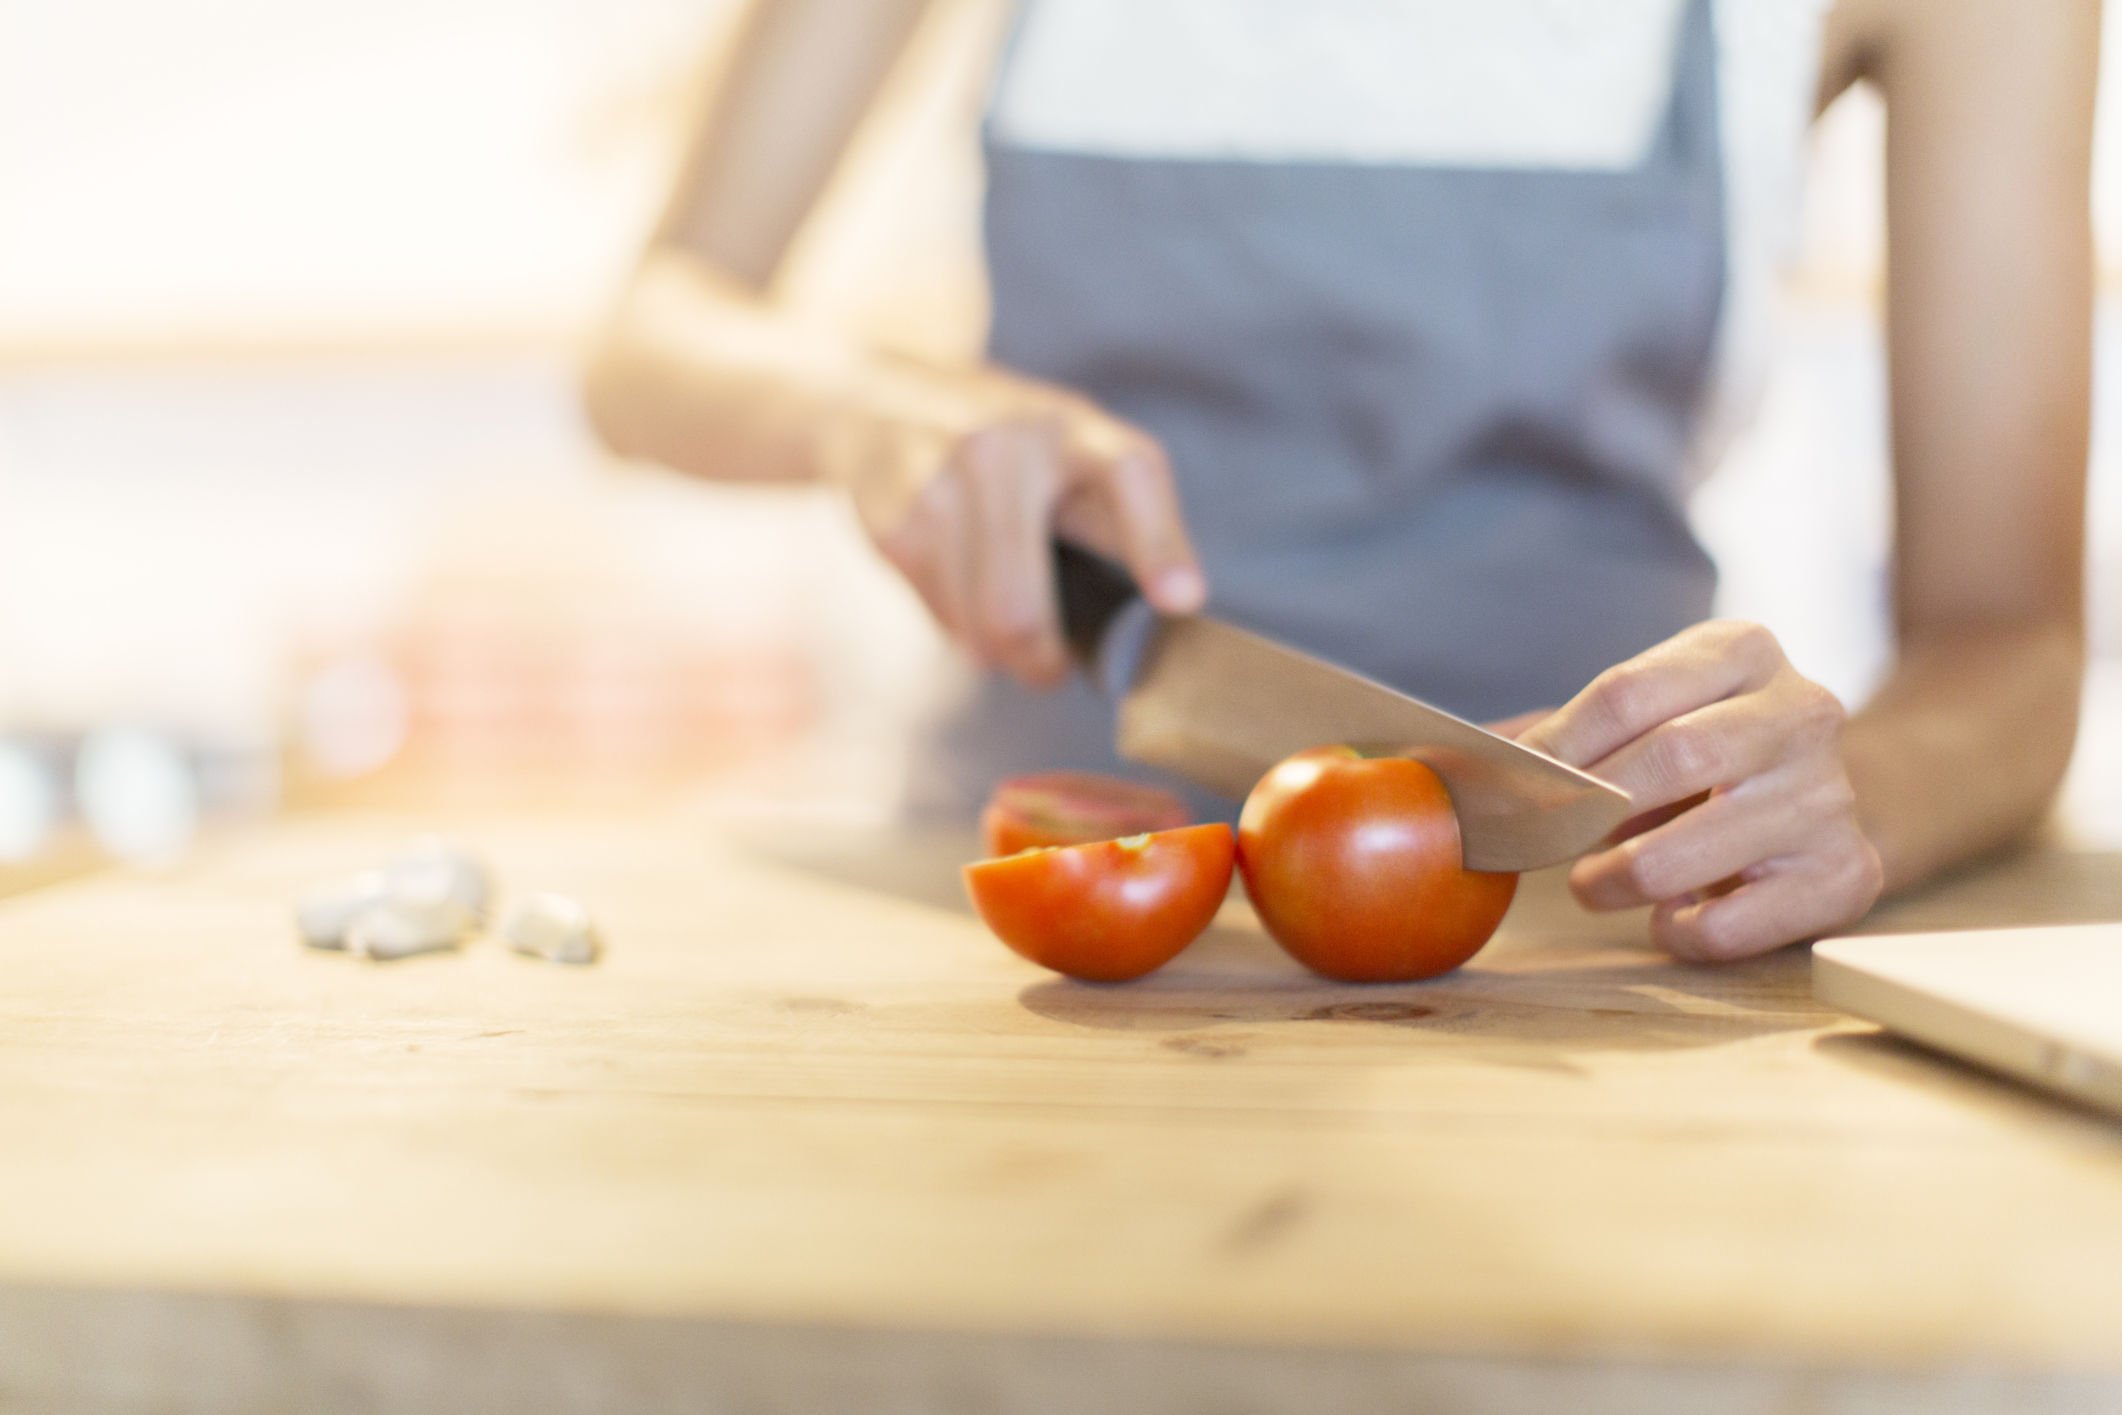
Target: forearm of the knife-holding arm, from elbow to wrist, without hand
<point>708,379</point>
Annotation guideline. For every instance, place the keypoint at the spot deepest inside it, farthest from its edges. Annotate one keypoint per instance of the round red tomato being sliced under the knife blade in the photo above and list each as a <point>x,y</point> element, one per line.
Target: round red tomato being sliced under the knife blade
<point>1355,867</point>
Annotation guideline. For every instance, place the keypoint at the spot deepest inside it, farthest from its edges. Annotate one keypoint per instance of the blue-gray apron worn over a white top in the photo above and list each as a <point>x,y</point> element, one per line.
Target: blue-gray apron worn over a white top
<point>1429,423</point>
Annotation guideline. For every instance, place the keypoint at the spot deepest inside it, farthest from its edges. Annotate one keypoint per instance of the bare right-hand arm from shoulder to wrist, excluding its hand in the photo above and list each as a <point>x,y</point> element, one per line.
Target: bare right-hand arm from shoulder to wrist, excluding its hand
<point>1989,336</point>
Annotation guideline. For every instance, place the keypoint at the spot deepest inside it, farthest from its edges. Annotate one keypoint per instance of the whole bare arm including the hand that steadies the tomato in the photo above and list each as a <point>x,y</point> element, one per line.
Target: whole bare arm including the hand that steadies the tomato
<point>1769,816</point>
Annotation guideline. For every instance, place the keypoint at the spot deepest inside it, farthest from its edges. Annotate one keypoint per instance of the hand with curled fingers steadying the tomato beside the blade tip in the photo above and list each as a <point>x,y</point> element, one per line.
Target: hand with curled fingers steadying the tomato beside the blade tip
<point>1747,824</point>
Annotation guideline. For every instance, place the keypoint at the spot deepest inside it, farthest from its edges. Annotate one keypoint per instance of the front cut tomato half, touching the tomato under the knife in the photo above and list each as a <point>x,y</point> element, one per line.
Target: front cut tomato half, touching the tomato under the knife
<point>1107,911</point>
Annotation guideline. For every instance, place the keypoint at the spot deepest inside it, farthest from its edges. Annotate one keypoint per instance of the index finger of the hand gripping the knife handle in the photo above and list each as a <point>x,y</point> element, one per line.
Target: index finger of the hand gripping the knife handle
<point>1141,510</point>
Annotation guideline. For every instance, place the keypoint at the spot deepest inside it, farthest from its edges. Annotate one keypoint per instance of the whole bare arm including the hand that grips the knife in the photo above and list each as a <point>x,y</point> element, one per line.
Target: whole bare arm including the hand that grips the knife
<point>960,474</point>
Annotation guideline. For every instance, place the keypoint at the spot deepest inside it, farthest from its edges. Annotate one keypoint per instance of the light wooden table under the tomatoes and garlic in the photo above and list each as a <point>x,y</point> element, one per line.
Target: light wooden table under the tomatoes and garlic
<point>812,1142</point>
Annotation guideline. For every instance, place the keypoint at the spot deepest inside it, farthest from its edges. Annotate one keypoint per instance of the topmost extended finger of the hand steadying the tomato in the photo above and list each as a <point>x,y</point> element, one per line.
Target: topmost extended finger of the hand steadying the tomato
<point>1690,671</point>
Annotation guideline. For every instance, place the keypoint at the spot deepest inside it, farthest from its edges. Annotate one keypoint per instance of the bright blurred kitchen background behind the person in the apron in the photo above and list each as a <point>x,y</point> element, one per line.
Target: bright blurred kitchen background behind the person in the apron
<point>298,508</point>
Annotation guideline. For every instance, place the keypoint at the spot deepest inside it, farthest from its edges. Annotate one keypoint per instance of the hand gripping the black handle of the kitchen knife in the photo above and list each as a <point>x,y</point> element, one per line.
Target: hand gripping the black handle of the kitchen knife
<point>964,481</point>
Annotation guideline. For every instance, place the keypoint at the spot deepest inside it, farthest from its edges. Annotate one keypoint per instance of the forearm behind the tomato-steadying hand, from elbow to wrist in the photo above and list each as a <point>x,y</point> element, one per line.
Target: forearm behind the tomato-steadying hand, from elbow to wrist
<point>1964,746</point>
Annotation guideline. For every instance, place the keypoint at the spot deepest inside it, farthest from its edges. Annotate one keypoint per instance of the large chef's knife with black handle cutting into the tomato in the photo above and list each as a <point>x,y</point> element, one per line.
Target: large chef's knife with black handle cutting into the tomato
<point>1219,705</point>
